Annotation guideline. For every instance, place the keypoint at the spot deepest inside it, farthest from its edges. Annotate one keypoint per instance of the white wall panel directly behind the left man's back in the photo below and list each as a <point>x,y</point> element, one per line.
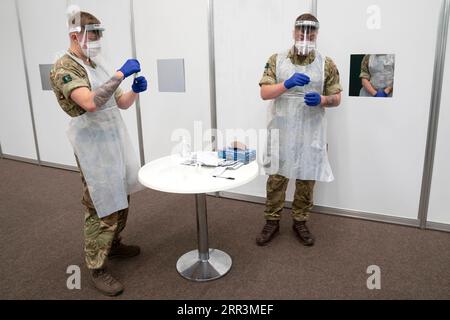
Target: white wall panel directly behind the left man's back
<point>45,35</point>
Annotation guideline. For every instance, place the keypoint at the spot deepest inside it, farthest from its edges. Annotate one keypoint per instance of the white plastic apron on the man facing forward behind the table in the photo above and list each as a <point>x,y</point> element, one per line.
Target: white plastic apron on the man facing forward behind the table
<point>296,146</point>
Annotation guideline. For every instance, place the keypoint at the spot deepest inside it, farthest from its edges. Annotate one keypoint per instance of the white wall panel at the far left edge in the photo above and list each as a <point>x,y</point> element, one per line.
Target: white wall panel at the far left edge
<point>16,129</point>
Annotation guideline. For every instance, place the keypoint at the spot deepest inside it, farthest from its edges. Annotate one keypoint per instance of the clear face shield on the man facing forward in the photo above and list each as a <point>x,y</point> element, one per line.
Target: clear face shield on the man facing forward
<point>305,35</point>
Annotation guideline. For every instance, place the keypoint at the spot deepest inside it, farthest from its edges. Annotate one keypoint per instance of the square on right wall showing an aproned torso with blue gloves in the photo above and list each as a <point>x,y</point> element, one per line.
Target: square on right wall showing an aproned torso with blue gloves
<point>372,75</point>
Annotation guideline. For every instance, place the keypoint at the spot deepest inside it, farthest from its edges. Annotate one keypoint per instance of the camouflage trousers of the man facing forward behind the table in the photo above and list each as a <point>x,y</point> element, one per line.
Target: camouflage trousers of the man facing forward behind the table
<point>276,194</point>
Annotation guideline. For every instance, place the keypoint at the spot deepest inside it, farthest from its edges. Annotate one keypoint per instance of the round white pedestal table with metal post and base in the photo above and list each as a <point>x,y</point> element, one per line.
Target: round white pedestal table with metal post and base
<point>167,174</point>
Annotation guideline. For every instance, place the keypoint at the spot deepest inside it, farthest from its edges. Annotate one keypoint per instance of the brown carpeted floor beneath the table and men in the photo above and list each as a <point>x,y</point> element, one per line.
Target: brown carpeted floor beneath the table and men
<point>41,235</point>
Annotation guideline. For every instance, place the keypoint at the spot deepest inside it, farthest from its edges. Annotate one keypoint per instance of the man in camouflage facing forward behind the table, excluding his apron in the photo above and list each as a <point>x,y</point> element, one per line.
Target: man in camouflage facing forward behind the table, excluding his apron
<point>273,88</point>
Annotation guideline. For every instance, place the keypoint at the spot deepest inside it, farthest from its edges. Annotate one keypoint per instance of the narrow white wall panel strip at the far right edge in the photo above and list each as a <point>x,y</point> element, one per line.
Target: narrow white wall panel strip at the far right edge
<point>438,211</point>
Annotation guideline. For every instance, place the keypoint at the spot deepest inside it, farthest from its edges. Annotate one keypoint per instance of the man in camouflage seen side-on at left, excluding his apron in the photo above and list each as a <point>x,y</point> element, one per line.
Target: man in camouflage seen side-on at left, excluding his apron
<point>72,87</point>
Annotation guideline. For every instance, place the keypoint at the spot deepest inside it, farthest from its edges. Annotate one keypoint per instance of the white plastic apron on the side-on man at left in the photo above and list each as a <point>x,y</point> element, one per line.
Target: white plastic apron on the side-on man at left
<point>102,144</point>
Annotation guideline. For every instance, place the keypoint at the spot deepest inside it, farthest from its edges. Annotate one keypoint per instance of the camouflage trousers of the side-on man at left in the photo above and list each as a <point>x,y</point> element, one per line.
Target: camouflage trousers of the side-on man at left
<point>99,233</point>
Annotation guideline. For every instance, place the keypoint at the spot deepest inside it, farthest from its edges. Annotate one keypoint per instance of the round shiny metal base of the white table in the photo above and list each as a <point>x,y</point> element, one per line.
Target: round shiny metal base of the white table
<point>191,267</point>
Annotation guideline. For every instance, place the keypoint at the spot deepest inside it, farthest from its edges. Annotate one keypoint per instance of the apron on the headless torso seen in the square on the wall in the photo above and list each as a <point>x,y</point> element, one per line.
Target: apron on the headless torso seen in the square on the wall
<point>381,68</point>
